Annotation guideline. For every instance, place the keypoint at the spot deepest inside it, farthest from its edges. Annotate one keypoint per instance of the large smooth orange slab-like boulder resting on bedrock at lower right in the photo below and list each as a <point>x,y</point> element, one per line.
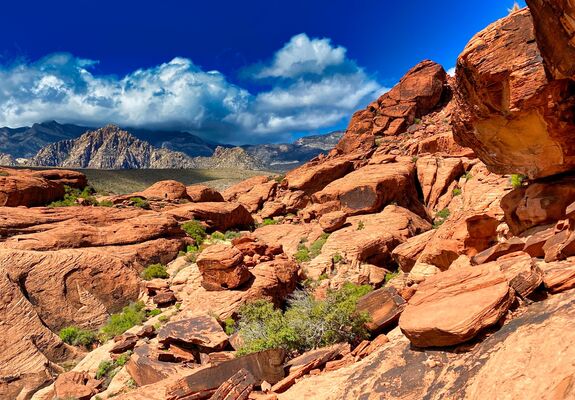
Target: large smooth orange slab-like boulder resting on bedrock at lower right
<point>453,306</point>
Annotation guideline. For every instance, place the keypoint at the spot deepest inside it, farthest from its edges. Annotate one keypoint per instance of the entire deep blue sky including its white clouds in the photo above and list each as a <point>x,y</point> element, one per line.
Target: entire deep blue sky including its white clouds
<point>233,71</point>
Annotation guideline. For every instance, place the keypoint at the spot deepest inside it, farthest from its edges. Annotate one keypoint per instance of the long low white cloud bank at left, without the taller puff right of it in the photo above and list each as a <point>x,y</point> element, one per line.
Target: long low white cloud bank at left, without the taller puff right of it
<point>176,94</point>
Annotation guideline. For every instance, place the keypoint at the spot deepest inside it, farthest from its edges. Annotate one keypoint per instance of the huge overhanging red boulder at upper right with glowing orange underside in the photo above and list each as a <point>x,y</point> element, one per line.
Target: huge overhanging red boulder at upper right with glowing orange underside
<point>515,117</point>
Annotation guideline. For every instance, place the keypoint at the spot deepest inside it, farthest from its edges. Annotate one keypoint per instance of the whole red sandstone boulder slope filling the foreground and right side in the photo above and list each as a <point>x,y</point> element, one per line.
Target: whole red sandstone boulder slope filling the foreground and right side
<point>473,268</point>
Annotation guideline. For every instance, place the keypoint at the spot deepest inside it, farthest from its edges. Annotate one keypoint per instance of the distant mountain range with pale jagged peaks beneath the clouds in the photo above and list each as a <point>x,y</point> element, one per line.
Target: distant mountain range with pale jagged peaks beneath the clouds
<point>68,145</point>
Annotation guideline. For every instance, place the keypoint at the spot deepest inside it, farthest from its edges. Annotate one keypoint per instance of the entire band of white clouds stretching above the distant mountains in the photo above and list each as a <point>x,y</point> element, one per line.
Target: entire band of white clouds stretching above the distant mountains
<point>312,86</point>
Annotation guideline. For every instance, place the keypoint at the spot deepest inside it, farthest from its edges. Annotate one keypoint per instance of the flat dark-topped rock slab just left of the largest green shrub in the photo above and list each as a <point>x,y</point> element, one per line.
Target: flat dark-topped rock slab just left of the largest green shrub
<point>203,331</point>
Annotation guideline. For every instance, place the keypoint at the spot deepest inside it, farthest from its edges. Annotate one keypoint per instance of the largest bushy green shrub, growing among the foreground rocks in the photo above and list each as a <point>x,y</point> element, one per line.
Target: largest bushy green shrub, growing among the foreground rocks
<point>307,323</point>
